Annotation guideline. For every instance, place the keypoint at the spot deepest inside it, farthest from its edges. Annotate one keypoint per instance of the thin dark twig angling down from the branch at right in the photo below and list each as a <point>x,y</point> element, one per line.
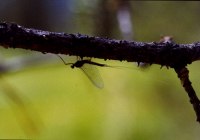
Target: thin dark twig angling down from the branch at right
<point>183,74</point>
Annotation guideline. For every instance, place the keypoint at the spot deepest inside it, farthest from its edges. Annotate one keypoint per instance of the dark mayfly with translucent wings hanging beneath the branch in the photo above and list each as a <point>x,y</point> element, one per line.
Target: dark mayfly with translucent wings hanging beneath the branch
<point>88,67</point>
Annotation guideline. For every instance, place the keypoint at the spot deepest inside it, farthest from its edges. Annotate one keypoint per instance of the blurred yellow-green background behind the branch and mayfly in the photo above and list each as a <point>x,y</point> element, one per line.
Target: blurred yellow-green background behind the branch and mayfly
<point>41,98</point>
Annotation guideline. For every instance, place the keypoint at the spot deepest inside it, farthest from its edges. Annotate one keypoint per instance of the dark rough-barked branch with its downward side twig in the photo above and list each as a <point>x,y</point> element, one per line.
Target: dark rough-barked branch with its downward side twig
<point>165,53</point>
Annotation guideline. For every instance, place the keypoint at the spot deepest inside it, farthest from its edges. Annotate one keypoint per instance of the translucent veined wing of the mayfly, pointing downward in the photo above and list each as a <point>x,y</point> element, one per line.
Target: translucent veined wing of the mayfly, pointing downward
<point>93,74</point>
